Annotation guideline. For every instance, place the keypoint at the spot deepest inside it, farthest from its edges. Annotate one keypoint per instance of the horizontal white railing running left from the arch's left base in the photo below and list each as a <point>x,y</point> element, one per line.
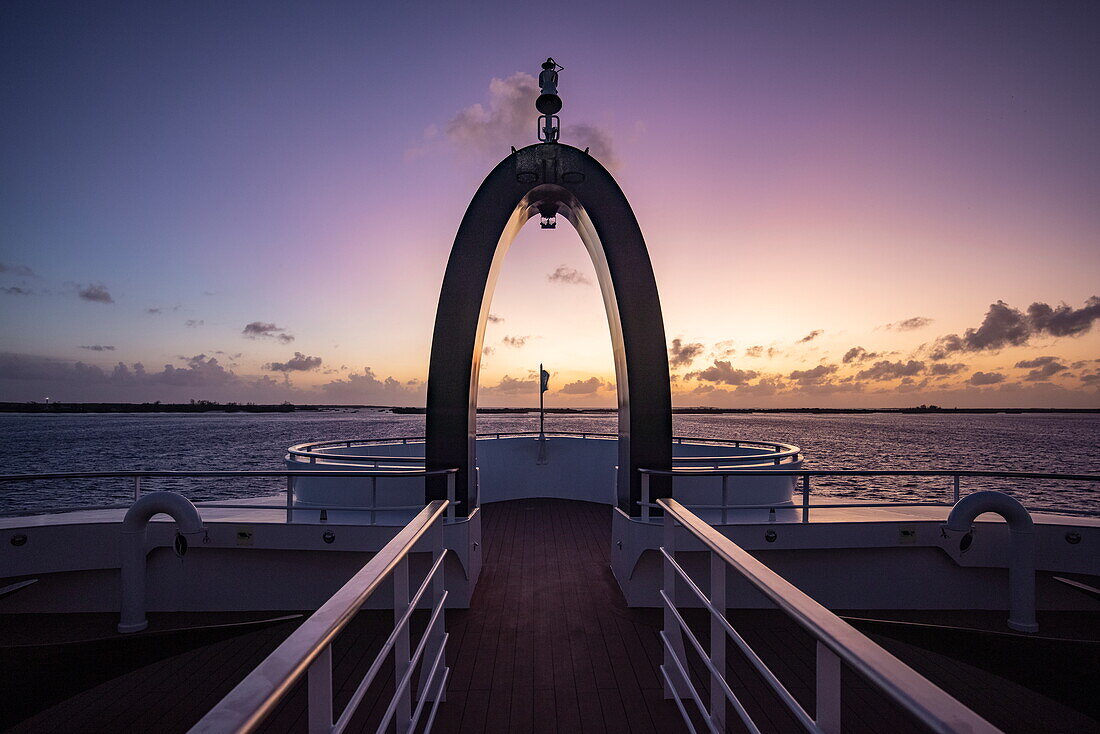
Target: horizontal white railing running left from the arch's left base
<point>290,508</point>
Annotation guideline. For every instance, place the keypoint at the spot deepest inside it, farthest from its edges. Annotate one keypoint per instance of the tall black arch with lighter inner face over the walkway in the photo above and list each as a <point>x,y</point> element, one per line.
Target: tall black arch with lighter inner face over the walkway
<point>546,180</point>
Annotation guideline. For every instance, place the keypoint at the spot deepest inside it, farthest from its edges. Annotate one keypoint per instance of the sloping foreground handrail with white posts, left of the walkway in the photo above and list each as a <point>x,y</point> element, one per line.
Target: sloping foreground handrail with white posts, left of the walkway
<point>309,651</point>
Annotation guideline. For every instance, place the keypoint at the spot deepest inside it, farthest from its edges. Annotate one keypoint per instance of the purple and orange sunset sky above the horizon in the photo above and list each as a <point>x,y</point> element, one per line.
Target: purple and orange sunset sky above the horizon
<point>257,203</point>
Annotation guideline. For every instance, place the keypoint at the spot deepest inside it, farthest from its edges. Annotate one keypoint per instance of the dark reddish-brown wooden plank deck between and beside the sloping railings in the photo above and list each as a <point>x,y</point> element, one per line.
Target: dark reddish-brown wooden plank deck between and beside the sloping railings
<point>548,645</point>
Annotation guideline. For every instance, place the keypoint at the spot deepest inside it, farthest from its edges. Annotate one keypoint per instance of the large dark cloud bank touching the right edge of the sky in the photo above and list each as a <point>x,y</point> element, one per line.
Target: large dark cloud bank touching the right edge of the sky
<point>1006,326</point>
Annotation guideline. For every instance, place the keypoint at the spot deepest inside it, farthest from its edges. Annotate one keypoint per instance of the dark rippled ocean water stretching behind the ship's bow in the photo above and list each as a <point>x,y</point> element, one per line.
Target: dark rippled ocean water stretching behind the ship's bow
<point>1039,443</point>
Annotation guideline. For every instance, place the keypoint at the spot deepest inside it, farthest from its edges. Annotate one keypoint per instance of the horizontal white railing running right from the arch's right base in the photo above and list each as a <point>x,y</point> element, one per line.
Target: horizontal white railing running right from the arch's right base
<point>729,501</point>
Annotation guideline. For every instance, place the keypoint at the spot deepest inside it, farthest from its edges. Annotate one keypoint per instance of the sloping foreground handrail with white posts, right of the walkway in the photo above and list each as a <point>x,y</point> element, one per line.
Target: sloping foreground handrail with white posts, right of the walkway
<point>838,644</point>
